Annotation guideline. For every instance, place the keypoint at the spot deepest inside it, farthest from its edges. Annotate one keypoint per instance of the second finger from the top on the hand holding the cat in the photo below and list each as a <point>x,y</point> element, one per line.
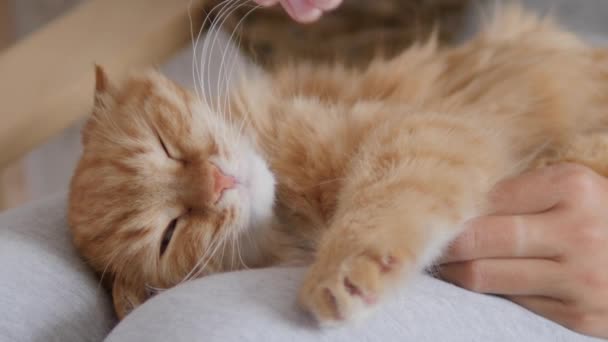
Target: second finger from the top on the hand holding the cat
<point>530,236</point>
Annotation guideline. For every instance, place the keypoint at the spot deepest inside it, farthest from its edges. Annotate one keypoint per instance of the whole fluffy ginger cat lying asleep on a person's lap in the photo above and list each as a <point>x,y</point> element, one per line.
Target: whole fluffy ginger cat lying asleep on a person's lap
<point>366,175</point>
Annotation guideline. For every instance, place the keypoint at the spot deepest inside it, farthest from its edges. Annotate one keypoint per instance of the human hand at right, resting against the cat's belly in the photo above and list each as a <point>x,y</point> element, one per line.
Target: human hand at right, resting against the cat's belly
<point>545,247</point>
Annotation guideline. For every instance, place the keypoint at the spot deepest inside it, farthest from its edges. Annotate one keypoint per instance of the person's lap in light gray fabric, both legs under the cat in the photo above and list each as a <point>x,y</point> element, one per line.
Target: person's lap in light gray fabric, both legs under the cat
<point>48,294</point>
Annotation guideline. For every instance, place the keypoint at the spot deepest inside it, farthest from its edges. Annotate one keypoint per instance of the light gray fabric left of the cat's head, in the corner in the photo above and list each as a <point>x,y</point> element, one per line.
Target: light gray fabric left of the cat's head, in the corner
<point>46,292</point>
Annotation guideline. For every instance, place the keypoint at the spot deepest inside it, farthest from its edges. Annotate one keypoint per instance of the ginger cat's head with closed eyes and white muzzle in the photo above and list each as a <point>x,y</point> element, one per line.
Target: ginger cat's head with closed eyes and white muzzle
<point>166,188</point>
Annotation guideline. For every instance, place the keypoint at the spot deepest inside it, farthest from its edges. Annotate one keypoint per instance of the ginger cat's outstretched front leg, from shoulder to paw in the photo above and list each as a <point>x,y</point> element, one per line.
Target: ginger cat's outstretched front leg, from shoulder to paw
<point>406,195</point>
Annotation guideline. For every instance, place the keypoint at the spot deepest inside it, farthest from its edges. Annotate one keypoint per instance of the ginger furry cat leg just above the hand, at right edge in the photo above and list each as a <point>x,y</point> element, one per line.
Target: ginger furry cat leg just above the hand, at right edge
<point>590,150</point>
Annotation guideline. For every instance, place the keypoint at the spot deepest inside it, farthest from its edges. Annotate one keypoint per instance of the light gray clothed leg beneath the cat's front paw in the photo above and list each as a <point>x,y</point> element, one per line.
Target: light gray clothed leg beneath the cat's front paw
<point>259,305</point>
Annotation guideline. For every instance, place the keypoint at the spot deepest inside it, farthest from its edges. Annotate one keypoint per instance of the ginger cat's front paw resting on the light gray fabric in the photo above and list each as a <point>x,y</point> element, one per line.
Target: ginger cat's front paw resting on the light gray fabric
<point>337,292</point>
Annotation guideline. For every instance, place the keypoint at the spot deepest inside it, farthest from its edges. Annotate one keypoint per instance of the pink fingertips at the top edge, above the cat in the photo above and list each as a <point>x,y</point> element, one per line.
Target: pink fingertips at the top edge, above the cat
<point>304,11</point>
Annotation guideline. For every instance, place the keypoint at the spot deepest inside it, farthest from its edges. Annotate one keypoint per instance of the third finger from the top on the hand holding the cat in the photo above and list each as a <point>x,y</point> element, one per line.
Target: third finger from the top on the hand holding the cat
<point>507,276</point>
